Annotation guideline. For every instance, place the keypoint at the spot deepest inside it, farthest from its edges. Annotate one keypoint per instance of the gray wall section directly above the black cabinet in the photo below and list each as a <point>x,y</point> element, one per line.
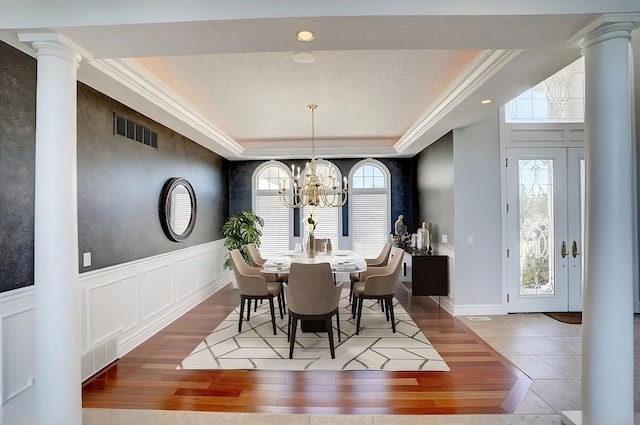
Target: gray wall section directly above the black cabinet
<point>434,182</point>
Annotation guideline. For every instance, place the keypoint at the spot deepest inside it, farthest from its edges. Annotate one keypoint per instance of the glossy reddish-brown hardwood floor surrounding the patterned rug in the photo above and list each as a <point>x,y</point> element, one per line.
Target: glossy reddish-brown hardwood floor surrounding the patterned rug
<point>480,380</point>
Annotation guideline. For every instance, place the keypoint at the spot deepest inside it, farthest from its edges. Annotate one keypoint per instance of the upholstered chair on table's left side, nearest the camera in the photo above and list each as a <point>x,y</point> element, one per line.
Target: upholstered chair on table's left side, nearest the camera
<point>254,285</point>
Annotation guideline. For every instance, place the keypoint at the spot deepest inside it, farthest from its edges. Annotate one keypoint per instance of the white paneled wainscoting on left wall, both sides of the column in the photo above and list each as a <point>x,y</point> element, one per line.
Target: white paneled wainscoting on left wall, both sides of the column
<point>121,307</point>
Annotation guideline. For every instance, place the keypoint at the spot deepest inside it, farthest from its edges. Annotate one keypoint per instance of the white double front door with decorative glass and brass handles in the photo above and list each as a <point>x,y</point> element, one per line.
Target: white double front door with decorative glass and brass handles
<point>545,196</point>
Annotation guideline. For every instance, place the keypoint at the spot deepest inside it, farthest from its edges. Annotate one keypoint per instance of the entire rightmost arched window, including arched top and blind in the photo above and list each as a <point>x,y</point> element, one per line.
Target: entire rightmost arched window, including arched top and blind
<point>370,206</point>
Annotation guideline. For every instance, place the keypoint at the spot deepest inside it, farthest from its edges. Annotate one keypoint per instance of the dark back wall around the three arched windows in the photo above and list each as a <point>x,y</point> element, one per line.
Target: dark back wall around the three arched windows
<point>241,172</point>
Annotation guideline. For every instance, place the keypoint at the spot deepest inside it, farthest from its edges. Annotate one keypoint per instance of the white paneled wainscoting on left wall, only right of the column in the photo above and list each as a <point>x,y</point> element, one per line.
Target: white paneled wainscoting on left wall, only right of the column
<point>125,305</point>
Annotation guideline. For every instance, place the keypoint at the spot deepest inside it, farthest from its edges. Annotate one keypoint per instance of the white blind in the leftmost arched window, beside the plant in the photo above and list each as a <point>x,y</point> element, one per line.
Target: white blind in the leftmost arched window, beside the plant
<point>277,222</point>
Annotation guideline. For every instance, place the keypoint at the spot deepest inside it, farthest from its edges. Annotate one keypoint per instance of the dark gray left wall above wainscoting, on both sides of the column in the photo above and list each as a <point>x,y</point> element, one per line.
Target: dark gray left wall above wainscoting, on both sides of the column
<point>119,180</point>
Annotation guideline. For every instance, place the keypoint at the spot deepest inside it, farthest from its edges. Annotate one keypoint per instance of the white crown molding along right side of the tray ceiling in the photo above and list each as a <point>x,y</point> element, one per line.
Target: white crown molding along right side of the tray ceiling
<point>482,69</point>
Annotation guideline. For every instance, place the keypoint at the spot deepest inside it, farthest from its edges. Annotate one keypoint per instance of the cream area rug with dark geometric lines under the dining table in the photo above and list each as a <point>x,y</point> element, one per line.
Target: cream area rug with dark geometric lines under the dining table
<point>375,348</point>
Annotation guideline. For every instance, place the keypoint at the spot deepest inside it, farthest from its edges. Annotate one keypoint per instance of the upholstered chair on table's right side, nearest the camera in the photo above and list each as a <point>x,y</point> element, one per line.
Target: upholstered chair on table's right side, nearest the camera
<point>378,283</point>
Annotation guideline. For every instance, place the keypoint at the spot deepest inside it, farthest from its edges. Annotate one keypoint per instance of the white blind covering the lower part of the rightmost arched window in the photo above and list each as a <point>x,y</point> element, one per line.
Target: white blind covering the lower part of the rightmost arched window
<point>369,222</point>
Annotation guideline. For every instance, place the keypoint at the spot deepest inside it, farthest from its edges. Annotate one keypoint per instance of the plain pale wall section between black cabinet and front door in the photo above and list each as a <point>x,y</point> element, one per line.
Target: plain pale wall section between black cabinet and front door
<point>478,240</point>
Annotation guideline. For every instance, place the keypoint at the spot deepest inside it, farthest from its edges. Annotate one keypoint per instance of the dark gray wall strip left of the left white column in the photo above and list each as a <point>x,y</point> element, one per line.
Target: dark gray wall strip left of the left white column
<point>17,162</point>
